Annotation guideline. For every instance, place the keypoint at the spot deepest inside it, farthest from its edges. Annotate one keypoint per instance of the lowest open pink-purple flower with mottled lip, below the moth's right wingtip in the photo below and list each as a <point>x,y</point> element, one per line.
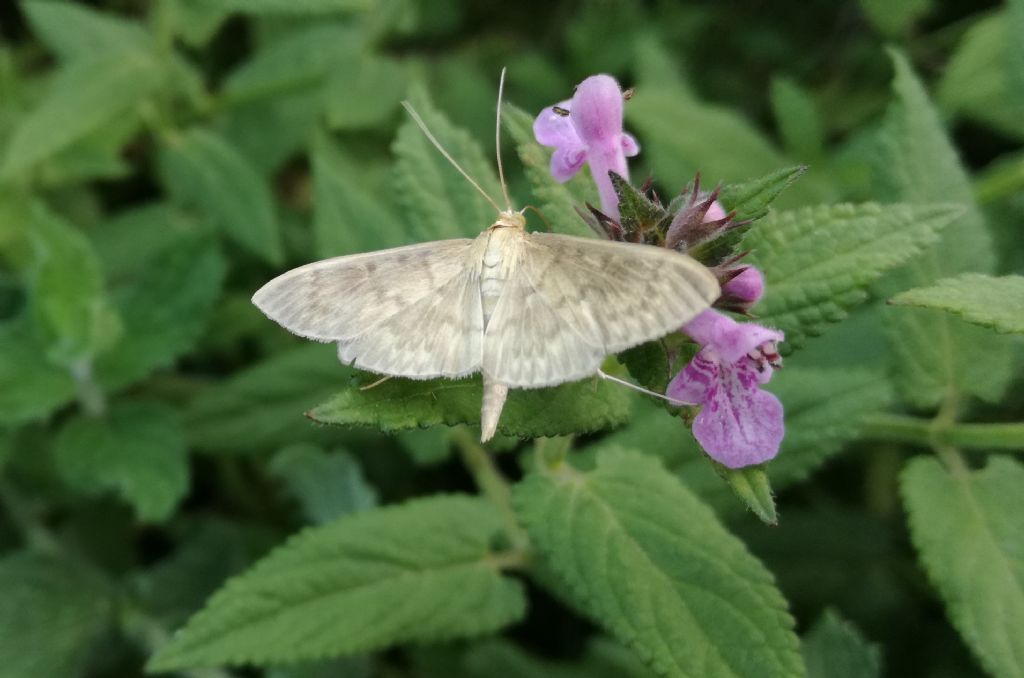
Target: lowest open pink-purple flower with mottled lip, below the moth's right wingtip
<point>739,426</point>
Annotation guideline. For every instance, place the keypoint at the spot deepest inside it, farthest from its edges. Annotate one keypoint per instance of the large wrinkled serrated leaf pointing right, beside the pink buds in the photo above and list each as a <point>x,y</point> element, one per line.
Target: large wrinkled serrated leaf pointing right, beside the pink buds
<point>819,261</point>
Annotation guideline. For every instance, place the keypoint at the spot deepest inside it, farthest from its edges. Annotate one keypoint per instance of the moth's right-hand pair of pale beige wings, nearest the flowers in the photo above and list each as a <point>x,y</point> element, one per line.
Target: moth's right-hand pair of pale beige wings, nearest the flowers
<point>574,301</point>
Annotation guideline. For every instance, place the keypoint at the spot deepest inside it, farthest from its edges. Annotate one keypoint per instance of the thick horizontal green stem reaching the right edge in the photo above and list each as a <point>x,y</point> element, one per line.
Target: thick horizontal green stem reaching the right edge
<point>901,429</point>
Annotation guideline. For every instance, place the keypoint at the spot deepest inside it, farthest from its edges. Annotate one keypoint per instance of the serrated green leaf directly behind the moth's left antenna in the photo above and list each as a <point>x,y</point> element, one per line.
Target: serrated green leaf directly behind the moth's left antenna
<point>440,202</point>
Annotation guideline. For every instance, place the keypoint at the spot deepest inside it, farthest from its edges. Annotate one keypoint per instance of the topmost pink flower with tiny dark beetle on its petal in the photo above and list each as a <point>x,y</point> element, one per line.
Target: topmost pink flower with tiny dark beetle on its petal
<point>588,129</point>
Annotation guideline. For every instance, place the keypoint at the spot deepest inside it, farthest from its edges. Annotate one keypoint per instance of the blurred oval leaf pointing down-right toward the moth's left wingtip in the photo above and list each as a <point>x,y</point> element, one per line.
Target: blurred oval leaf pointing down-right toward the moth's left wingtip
<point>204,172</point>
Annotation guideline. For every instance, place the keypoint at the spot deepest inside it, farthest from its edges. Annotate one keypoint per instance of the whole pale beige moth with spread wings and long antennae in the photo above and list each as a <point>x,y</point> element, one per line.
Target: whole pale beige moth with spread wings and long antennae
<point>527,310</point>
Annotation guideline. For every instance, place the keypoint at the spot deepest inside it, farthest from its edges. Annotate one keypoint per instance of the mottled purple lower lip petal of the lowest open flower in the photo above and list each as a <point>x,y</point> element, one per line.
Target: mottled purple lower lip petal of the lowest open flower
<point>740,425</point>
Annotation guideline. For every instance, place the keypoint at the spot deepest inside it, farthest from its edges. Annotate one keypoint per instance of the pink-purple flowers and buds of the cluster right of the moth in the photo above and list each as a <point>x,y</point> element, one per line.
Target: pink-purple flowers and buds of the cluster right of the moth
<point>739,425</point>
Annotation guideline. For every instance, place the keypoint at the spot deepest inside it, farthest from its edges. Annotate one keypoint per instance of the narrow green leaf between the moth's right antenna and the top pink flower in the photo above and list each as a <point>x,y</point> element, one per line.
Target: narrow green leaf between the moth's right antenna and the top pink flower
<point>558,201</point>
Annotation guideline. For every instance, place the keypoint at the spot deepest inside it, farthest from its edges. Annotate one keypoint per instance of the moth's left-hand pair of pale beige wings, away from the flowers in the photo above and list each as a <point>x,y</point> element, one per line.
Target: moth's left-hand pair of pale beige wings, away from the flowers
<point>409,312</point>
